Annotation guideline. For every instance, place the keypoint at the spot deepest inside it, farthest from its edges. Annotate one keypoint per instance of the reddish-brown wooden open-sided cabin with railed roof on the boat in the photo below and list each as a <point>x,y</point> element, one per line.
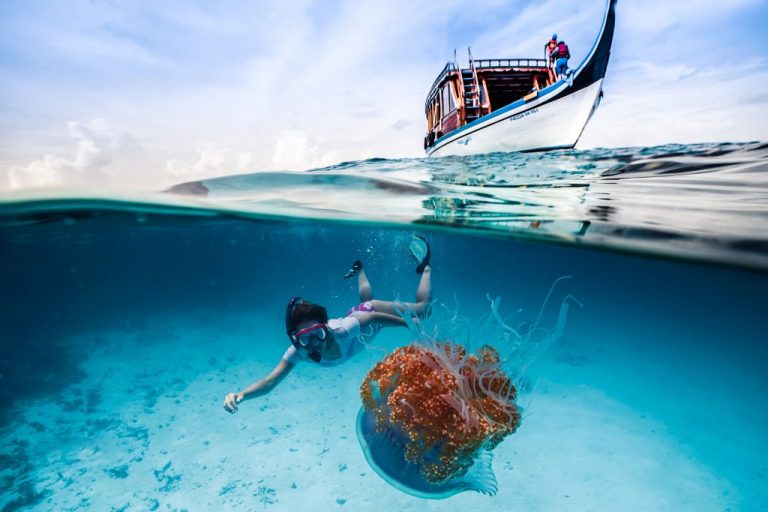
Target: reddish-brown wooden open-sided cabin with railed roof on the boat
<point>460,96</point>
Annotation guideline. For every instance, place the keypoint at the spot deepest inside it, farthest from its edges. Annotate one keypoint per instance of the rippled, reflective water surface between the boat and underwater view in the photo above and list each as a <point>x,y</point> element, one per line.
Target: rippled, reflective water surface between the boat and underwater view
<point>706,201</point>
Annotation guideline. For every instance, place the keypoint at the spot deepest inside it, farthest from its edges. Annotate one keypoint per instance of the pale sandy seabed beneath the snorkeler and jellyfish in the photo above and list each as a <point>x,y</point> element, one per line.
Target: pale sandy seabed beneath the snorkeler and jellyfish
<point>145,430</point>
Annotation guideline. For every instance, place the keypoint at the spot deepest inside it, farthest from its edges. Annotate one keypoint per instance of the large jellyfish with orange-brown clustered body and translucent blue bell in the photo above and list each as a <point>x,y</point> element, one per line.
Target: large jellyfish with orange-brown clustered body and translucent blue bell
<point>433,411</point>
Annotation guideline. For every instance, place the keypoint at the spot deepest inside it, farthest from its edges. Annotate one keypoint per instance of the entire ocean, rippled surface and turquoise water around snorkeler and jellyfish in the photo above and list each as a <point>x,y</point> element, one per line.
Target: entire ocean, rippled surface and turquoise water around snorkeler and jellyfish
<point>125,318</point>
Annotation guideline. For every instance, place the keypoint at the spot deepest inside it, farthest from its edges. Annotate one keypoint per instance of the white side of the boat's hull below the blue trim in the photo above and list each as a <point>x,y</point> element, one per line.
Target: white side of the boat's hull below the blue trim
<point>538,125</point>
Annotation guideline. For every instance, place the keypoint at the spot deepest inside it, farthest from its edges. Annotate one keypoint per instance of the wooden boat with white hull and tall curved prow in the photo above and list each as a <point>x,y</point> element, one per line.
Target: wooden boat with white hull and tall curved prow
<point>515,104</point>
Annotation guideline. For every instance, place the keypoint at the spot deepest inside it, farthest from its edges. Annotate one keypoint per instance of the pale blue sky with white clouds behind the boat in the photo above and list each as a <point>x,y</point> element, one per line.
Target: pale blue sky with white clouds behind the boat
<point>141,94</point>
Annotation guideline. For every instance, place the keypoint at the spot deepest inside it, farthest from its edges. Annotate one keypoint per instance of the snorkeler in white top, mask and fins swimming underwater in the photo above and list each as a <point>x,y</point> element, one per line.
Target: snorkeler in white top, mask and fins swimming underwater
<point>330,342</point>
